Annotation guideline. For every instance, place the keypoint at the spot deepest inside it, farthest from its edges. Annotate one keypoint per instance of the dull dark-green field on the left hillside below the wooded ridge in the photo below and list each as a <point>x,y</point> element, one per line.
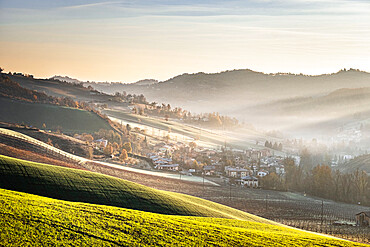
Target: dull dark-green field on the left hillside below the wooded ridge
<point>78,121</point>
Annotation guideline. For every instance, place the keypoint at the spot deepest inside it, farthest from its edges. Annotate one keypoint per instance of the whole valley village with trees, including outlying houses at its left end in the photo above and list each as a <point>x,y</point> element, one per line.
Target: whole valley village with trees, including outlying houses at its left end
<point>244,168</point>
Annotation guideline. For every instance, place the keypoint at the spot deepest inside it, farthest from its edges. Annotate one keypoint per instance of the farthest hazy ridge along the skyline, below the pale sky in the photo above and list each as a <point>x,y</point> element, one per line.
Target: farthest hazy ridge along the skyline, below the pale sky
<point>246,86</point>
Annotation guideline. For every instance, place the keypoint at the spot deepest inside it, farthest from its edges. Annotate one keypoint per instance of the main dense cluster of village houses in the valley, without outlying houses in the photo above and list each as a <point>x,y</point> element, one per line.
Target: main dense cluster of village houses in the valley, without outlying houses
<point>243,168</point>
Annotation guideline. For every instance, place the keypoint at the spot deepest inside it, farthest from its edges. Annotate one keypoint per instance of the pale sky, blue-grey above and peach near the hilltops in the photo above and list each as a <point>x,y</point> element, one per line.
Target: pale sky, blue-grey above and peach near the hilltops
<point>132,40</point>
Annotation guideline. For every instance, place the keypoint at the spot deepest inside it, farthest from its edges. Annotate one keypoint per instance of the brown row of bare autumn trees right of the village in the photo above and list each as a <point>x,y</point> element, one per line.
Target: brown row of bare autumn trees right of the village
<point>323,182</point>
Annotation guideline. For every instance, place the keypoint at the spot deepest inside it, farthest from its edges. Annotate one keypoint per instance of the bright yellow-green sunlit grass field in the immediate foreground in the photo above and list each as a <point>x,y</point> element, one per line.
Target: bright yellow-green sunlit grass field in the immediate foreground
<point>33,220</point>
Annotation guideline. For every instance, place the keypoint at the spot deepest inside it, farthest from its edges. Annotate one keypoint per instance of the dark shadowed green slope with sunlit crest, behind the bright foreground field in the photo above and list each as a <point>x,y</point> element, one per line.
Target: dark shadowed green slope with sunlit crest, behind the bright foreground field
<point>83,186</point>
